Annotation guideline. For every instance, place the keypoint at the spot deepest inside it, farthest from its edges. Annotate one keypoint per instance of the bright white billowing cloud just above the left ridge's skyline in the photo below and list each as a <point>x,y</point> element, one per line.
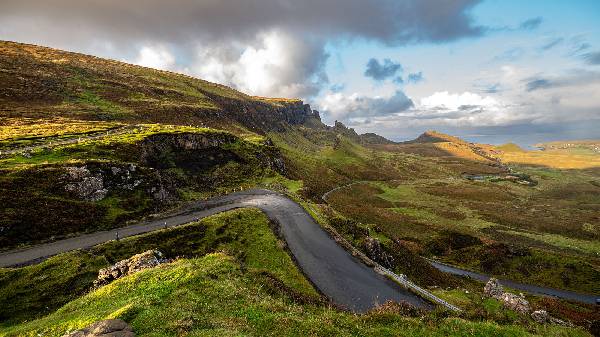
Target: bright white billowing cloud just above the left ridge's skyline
<point>276,64</point>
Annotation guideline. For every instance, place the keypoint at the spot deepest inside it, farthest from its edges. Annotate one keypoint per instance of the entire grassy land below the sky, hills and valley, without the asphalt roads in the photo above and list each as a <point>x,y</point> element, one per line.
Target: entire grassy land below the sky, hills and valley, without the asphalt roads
<point>89,144</point>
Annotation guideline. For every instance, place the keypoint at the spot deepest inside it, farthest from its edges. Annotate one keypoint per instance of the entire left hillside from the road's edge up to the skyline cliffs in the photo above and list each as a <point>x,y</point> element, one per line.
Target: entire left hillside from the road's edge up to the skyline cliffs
<point>140,140</point>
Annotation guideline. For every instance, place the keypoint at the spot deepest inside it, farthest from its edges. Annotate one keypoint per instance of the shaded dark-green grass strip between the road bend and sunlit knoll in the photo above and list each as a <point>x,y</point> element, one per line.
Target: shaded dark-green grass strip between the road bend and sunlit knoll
<point>246,234</point>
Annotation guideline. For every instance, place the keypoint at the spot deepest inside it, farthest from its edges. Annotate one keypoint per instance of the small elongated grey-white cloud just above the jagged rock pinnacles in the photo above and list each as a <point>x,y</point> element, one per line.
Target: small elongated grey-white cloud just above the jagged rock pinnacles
<point>345,107</point>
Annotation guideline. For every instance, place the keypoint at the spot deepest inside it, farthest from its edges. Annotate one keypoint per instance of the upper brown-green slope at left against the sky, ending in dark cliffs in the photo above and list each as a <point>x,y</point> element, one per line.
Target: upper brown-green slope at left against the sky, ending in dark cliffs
<point>41,82</point>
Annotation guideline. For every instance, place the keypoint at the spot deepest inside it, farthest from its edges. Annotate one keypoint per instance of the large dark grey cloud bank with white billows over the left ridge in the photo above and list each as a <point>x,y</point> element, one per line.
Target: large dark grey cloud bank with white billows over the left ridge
<point>256,39</point>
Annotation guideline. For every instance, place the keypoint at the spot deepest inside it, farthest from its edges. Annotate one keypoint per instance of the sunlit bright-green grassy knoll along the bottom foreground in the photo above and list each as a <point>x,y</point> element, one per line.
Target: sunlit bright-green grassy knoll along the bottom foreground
<point>212,296</point>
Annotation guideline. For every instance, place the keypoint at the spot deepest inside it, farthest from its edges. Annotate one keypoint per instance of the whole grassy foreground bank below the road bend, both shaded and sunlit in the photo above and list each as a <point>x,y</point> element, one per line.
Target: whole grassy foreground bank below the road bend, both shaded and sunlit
<point>249,287</point>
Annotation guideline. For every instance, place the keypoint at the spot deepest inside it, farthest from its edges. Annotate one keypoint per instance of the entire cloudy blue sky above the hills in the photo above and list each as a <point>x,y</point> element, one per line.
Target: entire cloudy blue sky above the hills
<point>491,71</point>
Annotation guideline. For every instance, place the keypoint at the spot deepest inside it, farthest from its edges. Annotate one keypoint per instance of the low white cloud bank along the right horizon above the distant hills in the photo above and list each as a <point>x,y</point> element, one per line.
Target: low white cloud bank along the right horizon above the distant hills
<point>558,100</point>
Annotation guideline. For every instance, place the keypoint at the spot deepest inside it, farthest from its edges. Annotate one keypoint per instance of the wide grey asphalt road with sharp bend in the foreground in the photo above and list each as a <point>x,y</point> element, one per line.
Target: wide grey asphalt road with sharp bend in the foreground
<point>334,271</point>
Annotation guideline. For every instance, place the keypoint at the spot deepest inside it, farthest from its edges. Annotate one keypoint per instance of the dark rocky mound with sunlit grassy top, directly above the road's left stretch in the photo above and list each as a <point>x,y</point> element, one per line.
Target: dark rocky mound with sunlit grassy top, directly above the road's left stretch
<point>143,170</point>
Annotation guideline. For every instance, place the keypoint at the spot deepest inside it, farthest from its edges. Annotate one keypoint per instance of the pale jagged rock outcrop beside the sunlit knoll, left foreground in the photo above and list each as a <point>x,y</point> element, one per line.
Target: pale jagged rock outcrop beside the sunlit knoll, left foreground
<point>145,260</point>
